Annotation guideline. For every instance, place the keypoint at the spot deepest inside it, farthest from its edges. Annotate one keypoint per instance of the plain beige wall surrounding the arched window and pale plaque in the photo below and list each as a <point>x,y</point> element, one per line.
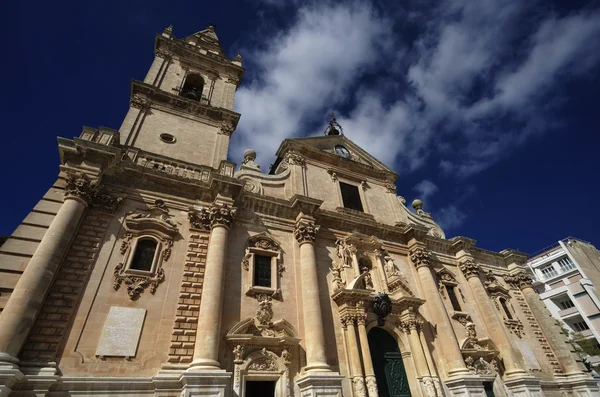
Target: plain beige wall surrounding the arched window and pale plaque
<point>162,308</point>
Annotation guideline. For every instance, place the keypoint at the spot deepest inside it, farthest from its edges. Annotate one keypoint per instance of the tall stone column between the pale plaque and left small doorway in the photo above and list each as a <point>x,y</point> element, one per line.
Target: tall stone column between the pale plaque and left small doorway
<point>206,350</point>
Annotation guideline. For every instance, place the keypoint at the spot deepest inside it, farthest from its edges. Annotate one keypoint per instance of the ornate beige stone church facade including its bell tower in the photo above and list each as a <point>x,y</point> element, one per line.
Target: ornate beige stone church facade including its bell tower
<point>156,267</point>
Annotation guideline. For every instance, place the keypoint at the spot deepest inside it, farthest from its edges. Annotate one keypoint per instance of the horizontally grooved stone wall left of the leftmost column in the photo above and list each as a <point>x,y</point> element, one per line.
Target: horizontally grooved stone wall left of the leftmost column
<point>20,246</point>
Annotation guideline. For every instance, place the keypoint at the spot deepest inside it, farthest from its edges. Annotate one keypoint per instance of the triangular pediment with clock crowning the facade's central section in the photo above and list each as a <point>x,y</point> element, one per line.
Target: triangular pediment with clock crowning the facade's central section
<point>338,148</point>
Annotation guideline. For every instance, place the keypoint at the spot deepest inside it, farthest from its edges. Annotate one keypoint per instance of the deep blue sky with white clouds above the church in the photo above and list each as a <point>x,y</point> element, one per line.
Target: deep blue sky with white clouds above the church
<point>487,110</point>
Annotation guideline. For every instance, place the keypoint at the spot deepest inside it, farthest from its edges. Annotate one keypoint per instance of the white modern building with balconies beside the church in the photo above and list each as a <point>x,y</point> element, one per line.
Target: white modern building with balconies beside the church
<point>566,274</point>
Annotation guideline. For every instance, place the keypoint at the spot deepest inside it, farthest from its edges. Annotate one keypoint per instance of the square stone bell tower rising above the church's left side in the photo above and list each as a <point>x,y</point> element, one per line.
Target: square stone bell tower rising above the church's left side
<point>183,109</point>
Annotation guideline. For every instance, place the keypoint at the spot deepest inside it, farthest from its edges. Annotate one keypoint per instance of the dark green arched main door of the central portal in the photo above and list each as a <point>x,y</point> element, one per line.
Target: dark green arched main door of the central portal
<point>387,364</point>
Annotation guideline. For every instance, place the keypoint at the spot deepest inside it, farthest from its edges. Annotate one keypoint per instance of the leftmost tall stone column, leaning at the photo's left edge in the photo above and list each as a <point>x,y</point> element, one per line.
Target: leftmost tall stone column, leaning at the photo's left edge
<point>26,300</point>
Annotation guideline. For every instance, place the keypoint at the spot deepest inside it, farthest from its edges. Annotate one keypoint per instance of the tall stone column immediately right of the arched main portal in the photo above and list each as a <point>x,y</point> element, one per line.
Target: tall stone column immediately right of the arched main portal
<point>450,351</point>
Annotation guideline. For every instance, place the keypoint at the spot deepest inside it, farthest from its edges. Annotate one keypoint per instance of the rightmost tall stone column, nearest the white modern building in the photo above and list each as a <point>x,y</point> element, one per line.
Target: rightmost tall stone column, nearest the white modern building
<point>563,353</point>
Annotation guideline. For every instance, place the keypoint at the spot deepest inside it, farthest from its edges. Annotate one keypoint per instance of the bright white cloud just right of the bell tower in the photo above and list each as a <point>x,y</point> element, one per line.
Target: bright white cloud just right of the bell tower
<point>304,72</point>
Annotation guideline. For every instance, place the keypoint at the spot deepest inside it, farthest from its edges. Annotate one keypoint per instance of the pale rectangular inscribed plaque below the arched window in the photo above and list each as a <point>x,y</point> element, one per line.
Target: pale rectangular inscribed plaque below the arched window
<point>121,332</point>
